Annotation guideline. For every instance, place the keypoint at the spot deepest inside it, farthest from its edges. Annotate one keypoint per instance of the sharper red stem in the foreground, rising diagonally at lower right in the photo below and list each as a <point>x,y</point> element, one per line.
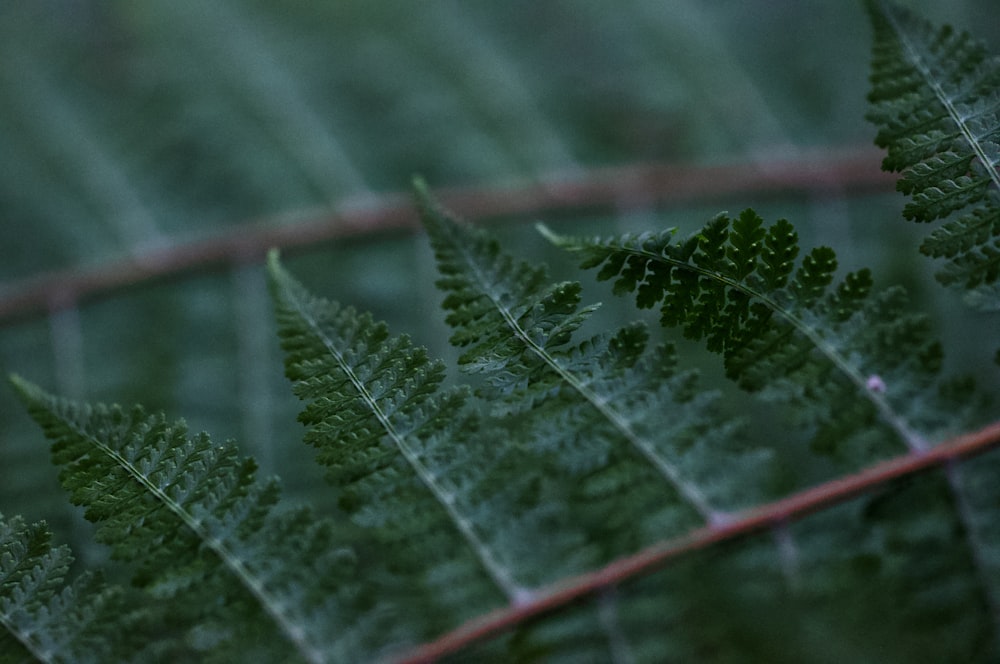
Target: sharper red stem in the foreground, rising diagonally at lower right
<point>761,518</point>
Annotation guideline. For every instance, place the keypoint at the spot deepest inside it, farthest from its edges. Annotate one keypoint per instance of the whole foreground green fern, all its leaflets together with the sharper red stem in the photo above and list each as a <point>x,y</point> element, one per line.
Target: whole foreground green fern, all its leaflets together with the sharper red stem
<point>580,497</point>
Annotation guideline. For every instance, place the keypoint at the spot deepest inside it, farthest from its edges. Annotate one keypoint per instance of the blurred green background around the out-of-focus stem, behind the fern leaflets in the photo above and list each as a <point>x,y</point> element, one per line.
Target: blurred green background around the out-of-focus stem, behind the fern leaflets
<point>127,127</point>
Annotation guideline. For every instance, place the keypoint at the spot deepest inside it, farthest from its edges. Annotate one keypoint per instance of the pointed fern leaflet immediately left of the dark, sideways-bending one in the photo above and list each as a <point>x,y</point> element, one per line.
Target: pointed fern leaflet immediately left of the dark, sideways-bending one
<point>607,408</point>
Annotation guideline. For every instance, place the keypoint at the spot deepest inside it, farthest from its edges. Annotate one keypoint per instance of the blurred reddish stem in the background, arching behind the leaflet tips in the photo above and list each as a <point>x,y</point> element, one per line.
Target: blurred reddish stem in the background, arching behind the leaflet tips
<point>826,173</point>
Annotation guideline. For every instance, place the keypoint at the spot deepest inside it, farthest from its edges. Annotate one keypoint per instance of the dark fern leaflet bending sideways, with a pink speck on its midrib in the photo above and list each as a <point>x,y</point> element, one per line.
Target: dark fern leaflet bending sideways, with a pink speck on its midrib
<point>847,356</point>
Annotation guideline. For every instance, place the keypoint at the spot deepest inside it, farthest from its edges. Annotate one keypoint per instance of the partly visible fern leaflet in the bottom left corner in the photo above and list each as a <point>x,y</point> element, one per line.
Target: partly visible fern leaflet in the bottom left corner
<point>46,618</point>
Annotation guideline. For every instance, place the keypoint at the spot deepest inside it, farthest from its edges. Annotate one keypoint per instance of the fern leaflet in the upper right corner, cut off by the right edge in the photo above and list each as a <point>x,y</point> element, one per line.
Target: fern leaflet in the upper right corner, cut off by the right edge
<point>935,100</point>
